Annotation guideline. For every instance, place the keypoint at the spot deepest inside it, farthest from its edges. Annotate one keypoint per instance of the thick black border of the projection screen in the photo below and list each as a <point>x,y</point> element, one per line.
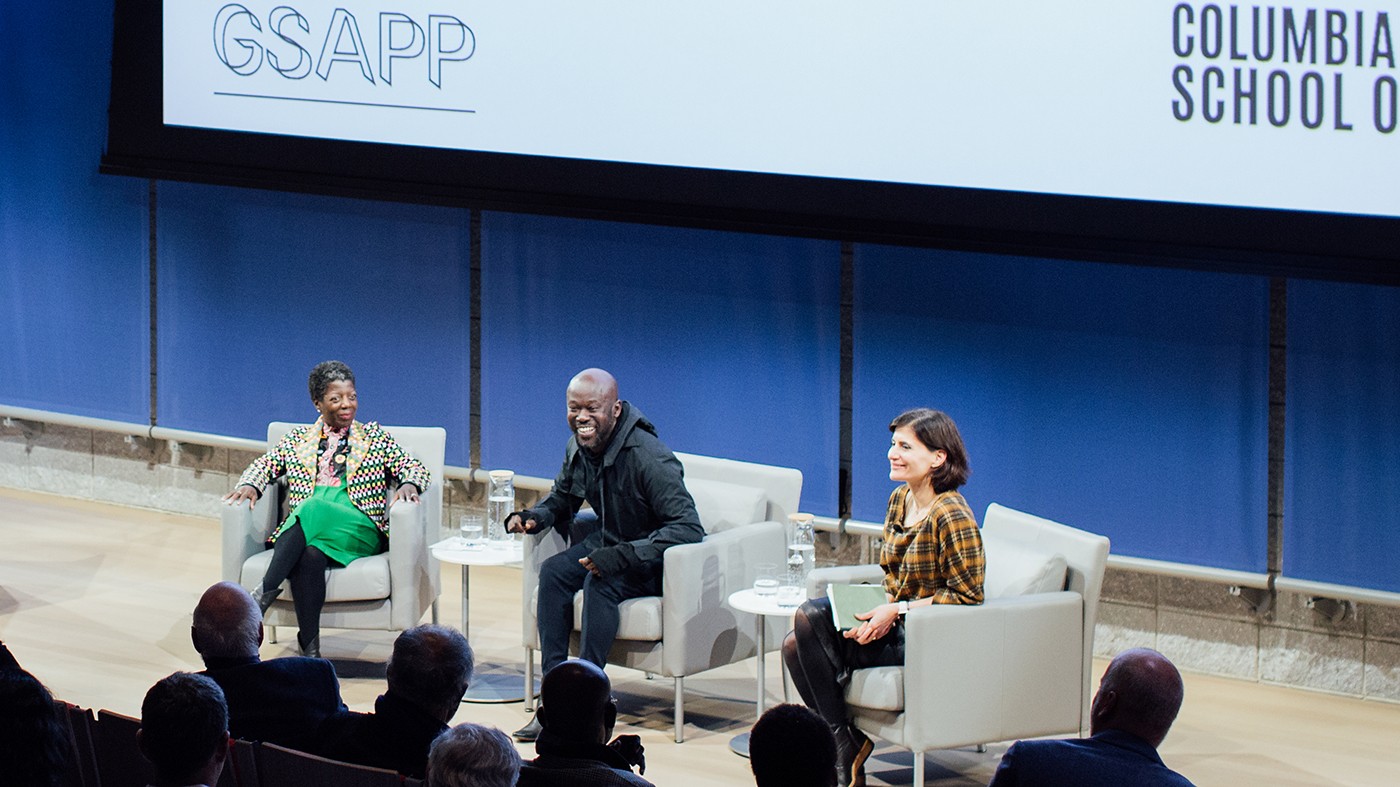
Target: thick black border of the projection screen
<point>1238,240</point>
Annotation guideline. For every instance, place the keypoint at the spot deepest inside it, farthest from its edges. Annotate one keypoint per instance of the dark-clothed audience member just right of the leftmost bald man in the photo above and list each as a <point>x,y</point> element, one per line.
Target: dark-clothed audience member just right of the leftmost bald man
<point>428,677</point>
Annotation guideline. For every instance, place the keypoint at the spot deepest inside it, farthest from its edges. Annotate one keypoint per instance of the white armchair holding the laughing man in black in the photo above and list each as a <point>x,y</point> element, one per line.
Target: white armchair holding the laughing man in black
<point>691,628</point>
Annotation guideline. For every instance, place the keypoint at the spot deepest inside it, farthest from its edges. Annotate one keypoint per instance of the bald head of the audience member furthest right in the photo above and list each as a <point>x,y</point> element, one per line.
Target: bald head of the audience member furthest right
<point>1140,694</point>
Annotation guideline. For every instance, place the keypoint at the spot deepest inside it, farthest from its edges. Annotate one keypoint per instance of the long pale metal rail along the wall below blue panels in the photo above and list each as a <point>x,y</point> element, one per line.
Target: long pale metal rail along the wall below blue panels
<point>1238,582</point>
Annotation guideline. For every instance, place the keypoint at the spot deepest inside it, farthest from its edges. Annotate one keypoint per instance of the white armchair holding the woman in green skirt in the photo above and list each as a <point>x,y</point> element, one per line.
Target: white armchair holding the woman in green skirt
<point>388,592</point>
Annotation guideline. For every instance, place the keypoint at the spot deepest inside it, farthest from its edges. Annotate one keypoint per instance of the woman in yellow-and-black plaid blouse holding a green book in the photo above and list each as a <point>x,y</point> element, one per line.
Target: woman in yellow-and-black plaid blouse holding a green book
<point>932,554</point>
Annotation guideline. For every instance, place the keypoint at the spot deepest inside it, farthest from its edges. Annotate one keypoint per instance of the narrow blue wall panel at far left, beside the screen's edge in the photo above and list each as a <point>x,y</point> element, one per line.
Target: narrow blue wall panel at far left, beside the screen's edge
<point>73,253</point>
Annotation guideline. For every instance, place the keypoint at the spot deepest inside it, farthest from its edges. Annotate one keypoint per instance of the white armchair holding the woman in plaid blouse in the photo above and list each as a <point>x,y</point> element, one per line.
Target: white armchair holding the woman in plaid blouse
<point>1018,666</point>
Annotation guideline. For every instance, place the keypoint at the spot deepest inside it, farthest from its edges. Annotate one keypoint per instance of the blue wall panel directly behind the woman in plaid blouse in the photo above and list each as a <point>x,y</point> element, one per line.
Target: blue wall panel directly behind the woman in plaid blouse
<point>1126,401</point>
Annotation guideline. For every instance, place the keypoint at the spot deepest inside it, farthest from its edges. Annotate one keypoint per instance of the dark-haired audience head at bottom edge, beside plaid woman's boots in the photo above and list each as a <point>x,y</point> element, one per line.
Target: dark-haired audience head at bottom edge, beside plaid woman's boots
<point>793,747</point>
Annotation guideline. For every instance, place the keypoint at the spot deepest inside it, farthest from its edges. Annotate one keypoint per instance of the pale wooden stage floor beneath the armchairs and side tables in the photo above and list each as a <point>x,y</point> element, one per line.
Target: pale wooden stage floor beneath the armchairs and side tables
<point>96,601</point>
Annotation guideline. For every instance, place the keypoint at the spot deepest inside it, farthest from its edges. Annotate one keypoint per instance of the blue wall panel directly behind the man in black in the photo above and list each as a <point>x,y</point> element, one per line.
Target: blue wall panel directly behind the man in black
<point>730,344</point>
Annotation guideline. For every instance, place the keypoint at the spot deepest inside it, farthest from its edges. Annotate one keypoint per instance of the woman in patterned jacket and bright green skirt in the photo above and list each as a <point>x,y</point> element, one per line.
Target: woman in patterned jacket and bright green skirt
<point>337,471</point>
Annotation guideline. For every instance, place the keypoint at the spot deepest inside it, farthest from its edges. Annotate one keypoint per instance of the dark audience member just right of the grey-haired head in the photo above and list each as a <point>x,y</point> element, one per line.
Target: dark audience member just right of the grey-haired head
<point>577,716</point>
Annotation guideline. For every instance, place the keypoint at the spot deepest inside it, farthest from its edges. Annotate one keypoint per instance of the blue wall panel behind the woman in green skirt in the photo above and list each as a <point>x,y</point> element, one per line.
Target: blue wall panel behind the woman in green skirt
<point>257,288</point>
